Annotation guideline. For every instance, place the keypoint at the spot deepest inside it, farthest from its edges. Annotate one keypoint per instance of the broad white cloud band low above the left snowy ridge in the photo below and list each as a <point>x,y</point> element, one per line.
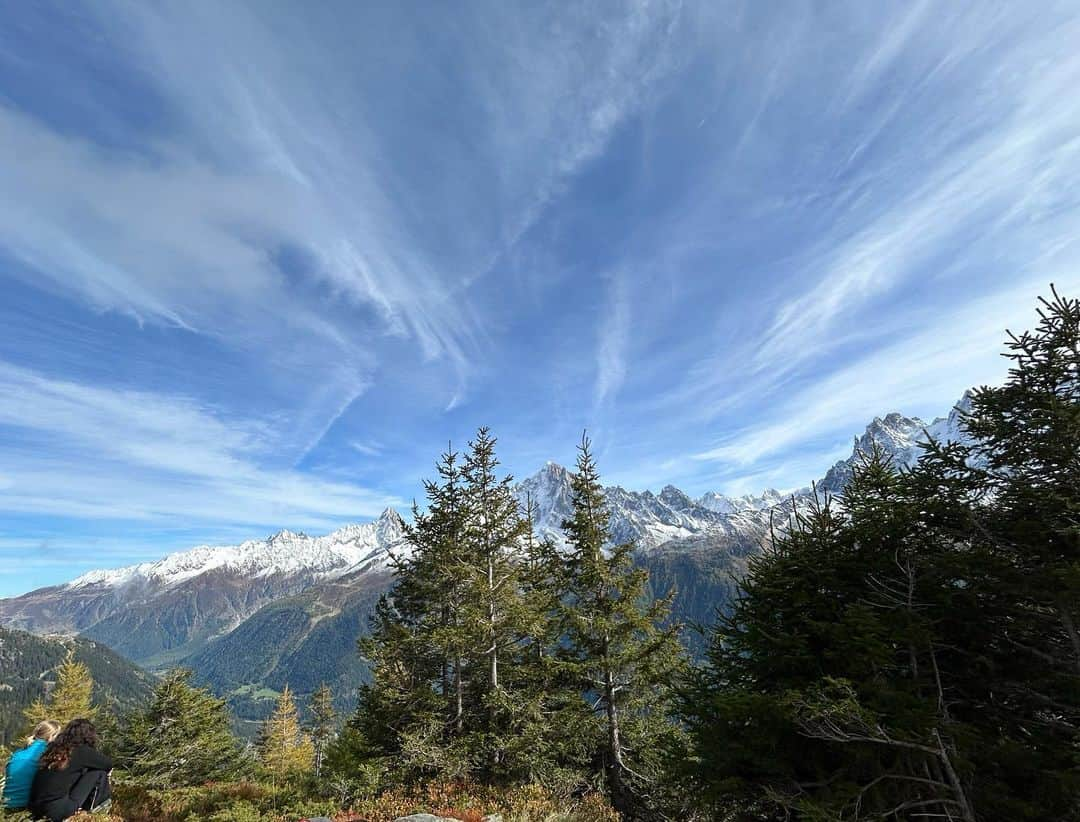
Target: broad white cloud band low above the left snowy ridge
<point>138,455</point>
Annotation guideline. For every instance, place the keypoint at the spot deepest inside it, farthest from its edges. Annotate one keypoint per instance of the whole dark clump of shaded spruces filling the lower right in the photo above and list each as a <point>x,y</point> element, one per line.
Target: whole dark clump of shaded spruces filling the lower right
<point>910,652</point>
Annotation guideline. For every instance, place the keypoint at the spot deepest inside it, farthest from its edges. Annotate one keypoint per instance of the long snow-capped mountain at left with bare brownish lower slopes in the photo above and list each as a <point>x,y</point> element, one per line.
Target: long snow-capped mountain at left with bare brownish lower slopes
<point>165,612</point>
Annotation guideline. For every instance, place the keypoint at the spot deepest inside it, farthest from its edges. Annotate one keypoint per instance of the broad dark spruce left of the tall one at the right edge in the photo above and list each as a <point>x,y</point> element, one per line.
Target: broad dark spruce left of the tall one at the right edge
<point>822,697</point>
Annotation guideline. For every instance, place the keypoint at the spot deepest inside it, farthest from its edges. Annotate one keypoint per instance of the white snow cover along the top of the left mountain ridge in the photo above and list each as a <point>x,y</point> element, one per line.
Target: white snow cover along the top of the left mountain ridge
<point>285,554</point>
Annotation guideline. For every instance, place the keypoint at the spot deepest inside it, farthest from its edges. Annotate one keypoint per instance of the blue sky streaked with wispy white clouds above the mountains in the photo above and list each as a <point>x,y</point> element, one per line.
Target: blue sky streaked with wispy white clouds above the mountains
<point>260,263</point>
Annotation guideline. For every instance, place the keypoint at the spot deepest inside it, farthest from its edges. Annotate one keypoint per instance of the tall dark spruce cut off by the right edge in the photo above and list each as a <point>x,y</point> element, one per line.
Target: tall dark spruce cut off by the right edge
<point>1024,471</point>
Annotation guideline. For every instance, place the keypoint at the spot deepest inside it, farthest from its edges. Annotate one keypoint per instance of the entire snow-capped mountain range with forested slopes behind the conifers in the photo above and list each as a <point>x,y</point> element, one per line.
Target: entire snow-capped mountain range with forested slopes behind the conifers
<point>250,618</point>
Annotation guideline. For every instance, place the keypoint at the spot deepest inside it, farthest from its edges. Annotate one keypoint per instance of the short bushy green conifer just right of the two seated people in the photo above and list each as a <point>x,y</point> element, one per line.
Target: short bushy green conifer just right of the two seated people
<point>183,738</point>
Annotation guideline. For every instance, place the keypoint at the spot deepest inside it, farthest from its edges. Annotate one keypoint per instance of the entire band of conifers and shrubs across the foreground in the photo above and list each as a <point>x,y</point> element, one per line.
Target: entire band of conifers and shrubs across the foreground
<point>909,650</point>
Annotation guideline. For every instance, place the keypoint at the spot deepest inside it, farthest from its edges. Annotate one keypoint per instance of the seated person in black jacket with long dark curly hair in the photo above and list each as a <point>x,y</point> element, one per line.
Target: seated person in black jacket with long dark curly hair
<point>73,775</point>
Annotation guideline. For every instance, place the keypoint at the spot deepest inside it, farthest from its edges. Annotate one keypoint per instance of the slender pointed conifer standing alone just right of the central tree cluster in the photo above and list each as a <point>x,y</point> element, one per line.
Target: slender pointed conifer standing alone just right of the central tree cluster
<point>620,650</point>
